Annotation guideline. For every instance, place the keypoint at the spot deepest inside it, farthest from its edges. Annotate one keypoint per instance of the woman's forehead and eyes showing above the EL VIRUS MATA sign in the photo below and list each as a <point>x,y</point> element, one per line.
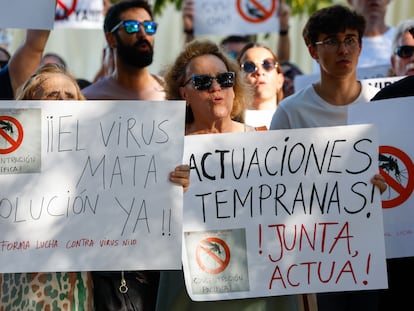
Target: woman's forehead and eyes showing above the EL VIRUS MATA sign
<point>56,86</point>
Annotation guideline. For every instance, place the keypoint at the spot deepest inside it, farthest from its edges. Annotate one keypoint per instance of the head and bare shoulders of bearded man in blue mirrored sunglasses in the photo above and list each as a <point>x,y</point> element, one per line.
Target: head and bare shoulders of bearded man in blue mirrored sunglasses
<point>129,31</point>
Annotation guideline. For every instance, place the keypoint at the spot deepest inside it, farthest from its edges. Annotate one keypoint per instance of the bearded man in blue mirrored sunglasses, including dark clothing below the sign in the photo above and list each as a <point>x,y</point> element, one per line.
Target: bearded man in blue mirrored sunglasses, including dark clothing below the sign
<point>129,30</point>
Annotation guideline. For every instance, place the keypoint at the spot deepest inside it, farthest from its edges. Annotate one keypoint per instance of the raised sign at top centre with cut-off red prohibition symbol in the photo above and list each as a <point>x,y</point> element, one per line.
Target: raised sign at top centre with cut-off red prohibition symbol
<point>217,17</point>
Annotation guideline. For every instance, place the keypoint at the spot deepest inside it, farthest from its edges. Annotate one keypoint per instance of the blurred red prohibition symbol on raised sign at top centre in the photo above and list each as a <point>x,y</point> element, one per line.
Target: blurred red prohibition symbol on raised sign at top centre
<point>254,11</point>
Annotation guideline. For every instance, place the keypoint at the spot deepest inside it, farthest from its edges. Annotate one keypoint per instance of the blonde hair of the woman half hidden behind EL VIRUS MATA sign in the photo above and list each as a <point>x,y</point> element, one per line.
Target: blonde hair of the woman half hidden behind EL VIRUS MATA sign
<point>31,88</point>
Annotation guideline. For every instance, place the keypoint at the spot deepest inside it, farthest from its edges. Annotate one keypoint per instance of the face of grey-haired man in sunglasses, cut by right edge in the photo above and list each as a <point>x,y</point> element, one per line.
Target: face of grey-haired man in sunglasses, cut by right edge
<point>403,64</point>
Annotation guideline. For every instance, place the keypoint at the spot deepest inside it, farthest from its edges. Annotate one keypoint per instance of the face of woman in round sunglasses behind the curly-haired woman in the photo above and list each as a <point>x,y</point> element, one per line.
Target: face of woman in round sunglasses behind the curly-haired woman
<point>265,79</point>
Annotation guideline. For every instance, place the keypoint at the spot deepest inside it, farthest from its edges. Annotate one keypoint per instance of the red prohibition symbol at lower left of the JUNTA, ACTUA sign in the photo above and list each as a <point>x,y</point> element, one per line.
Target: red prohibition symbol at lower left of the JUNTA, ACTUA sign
<point>213,255</point>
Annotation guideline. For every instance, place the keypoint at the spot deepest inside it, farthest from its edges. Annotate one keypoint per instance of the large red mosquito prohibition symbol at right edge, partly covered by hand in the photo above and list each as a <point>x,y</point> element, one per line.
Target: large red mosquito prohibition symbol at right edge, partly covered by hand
<point>400,179</point>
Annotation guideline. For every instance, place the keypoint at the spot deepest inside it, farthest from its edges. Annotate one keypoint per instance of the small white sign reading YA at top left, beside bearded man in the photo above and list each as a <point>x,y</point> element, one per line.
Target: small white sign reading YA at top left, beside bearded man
<point>79,14</point>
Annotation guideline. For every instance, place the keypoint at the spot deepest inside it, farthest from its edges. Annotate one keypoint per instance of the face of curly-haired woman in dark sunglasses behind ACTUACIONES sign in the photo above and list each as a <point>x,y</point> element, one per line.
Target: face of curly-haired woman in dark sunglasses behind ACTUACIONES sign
<point>214,102</point>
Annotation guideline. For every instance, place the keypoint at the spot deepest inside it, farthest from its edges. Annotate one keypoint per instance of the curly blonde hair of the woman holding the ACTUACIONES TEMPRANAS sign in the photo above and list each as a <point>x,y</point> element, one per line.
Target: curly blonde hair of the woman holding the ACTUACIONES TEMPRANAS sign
<point>175,75</point>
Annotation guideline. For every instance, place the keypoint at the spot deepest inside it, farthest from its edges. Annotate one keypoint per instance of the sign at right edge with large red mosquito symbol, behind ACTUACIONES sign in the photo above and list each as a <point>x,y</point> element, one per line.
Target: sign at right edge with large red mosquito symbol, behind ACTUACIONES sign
<point>394,120</point>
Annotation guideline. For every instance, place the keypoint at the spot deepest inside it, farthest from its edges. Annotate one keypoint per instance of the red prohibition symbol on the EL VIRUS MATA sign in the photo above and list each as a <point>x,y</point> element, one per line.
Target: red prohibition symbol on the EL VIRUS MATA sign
<point>8,126</point>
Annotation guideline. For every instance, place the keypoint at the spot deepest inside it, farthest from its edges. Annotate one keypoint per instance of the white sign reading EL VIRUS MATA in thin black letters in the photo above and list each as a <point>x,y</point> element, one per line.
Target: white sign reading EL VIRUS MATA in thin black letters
<point>85,185</point>
